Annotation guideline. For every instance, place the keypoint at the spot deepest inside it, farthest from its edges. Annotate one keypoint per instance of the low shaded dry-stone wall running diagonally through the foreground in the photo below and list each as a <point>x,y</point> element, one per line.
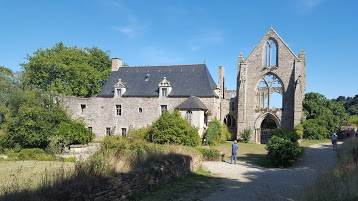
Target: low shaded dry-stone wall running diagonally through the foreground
<point>124,185</point>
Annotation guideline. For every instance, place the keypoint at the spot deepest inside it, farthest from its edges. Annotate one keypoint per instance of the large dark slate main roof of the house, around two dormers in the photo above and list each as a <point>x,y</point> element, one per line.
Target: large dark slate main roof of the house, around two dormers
<point>142,81</point>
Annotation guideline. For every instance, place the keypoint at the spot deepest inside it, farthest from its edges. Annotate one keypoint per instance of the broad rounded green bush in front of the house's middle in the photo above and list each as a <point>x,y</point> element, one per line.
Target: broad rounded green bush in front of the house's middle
<point>170,128</point>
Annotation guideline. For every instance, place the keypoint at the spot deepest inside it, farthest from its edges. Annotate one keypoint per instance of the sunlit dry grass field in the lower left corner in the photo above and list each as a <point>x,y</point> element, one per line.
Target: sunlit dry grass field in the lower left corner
<point>17,175</point>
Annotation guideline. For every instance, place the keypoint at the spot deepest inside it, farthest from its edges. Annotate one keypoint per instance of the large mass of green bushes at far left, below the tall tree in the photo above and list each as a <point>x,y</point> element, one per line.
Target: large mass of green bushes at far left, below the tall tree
<point>32,119</point>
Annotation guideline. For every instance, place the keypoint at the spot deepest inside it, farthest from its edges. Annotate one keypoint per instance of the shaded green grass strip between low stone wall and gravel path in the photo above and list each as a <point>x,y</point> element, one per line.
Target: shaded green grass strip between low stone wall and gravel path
<point>194,186</point>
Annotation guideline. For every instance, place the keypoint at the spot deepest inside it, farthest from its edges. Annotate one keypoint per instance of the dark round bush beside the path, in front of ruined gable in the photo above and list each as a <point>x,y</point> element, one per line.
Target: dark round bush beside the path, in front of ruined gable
<point>283,148</point>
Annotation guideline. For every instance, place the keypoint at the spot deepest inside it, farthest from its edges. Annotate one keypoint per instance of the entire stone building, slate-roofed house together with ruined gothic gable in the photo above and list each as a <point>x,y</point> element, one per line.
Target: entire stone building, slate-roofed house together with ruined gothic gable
<point>135,96</point>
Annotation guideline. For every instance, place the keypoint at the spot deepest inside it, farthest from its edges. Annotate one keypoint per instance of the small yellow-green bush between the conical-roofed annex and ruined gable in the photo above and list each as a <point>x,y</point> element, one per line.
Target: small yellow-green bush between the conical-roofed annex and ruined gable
<point>217,133</point>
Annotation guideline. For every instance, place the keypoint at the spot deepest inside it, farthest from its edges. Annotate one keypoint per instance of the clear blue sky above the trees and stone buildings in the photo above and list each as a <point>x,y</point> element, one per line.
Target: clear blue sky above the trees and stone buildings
<point>160,32</point>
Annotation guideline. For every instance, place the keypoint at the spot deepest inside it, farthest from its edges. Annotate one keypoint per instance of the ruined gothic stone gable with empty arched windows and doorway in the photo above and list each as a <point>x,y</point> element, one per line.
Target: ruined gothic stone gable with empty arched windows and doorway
<point>271,57</point>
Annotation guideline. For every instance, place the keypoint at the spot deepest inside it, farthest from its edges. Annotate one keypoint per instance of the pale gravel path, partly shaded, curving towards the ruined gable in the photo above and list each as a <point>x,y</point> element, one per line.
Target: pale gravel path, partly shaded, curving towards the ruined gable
<point>248,182</point>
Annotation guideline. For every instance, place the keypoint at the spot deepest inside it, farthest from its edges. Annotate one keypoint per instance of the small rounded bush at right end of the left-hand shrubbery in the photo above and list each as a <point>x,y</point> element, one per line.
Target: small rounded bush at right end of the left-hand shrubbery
<point>74,133</point>
